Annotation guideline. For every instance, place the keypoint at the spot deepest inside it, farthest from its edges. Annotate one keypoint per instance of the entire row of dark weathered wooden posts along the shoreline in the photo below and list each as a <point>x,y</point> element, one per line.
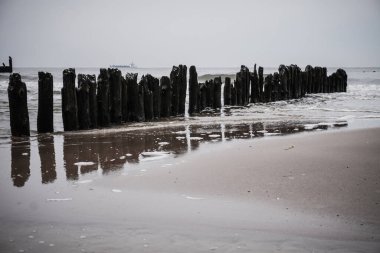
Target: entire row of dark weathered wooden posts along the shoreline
<point>112,99</point>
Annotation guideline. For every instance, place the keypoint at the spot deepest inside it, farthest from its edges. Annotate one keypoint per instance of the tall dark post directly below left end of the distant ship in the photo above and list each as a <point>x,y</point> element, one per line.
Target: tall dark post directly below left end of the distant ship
<point>115,95</point>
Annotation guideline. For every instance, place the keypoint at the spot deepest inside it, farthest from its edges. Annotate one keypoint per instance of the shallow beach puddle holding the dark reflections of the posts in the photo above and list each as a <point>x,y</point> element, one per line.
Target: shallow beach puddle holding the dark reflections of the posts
<point>101,152</point>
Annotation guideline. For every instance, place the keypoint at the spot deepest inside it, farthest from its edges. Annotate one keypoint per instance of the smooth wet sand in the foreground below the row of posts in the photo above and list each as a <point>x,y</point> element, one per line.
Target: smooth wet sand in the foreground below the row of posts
<point>309,192</point>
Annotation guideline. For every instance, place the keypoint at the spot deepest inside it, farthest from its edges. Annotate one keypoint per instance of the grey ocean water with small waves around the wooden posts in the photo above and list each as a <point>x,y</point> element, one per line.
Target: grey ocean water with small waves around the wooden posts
<point>360,106</point>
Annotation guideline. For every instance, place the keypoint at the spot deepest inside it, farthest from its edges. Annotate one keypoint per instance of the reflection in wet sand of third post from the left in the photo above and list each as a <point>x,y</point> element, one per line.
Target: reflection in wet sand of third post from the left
<point>70,156</point>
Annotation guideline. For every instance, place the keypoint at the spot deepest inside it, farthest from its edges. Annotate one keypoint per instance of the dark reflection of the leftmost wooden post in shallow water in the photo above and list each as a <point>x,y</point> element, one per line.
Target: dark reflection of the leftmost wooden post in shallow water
<point>20,161</point>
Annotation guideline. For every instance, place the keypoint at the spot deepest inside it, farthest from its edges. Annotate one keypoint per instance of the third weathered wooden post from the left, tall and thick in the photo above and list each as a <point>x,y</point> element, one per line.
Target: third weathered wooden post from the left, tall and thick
<point>69,101</point>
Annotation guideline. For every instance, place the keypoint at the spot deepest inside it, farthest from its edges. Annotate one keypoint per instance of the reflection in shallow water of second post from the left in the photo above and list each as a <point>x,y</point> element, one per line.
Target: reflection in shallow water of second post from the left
<point>47,156</point>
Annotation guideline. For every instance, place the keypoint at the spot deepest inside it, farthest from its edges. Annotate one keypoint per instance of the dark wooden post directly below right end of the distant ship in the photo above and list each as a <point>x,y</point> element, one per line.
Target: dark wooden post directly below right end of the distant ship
<point>133,94</point>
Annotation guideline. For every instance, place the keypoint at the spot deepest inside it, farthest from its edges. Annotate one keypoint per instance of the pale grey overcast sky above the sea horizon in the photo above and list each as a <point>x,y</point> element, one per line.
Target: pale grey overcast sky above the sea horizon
<point>45,33</point>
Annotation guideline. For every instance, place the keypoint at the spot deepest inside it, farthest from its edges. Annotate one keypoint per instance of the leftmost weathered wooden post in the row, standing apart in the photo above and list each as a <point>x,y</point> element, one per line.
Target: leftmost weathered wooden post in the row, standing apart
<point>18,106</point>
